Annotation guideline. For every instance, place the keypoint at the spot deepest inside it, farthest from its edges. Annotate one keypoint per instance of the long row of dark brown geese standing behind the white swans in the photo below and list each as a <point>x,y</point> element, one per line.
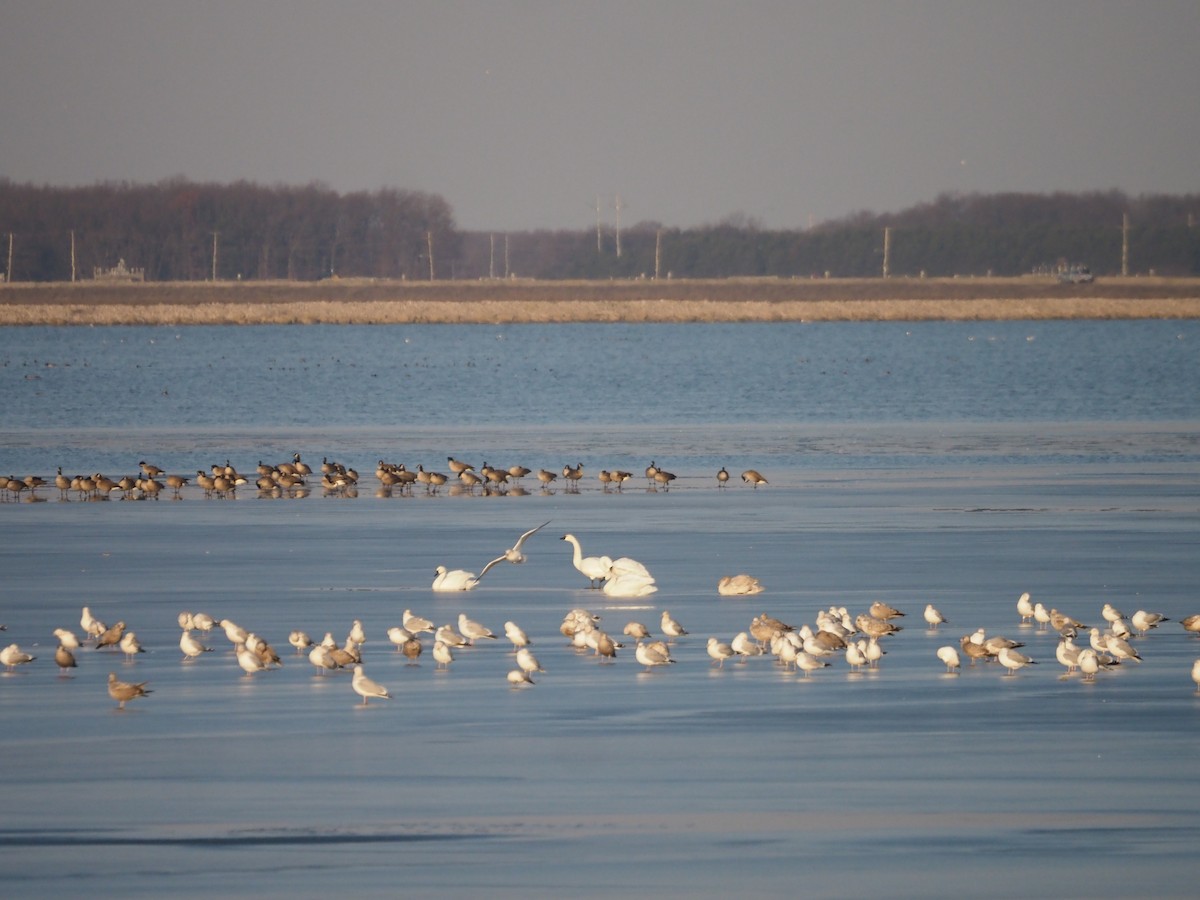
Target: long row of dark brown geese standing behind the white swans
<point>297,479</point>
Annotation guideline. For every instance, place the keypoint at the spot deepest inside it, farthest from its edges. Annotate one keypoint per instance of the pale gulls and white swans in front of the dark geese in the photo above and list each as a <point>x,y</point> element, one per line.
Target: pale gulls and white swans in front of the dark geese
<point>837,638</point>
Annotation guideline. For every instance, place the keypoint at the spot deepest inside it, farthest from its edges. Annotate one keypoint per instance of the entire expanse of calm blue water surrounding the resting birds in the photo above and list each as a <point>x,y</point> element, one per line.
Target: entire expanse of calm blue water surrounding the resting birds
<point>949,464</point>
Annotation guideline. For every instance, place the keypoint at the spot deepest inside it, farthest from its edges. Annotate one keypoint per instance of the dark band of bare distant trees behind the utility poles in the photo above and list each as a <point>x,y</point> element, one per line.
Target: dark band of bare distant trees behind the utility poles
<point>182,231</point>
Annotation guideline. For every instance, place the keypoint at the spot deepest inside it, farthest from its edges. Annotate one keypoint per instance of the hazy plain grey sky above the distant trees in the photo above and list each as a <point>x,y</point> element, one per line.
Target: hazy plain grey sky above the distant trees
<point>527,116</point>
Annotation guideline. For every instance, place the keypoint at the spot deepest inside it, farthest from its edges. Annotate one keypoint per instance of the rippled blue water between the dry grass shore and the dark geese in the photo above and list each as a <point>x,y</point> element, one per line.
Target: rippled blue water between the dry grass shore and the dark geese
<point>800,395</point>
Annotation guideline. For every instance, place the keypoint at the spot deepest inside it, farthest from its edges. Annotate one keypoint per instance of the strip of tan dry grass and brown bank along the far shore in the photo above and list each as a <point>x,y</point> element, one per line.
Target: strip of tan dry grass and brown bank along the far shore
<point>370,302</point>
